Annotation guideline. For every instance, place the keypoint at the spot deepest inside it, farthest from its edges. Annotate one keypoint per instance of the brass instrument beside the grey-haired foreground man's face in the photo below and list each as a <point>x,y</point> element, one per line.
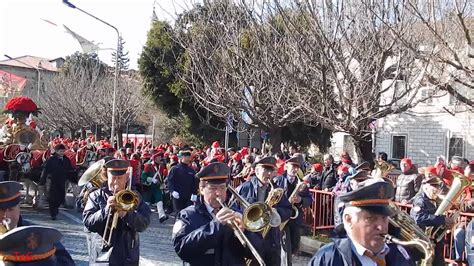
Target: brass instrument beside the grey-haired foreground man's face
<point>411,234</point>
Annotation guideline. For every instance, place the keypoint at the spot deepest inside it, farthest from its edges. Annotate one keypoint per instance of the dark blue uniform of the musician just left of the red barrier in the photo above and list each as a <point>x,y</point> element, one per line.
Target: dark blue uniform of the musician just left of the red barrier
<point>293,227</point>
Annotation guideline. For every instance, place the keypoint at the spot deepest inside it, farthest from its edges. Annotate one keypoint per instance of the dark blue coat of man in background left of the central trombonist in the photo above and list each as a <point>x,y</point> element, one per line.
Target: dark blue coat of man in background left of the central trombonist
<point>182,180</point>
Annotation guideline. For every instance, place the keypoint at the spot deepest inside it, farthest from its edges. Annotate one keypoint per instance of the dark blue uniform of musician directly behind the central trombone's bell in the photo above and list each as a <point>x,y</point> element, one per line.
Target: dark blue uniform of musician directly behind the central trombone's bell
<point>270,247</point>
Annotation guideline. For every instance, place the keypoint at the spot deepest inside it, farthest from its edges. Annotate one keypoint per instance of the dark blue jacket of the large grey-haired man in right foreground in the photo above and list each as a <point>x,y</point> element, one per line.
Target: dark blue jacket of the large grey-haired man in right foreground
<point>339,253</point>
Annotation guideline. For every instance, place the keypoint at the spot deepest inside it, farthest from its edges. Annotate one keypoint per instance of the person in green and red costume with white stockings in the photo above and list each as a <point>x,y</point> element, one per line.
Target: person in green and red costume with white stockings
<point>152,178</point>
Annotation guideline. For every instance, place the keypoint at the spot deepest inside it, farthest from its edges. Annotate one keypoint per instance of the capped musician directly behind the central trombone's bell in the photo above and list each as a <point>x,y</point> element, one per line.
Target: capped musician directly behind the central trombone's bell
<point>257,190</point>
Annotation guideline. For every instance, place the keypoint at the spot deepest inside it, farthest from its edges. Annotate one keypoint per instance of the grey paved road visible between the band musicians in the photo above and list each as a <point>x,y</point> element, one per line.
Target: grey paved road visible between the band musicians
<point>155,242</point>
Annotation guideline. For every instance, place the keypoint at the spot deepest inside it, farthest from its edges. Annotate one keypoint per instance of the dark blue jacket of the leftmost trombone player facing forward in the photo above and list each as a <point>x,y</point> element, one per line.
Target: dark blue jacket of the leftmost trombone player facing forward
<point>125,239</point>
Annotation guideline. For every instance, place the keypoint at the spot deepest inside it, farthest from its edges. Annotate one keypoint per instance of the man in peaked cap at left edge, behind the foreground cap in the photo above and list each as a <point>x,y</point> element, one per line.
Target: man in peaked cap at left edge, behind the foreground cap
<point>11,218</point>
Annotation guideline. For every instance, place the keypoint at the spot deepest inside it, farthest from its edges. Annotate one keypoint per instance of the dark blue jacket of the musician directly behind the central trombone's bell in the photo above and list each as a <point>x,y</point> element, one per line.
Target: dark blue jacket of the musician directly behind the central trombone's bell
<point>248,191</point>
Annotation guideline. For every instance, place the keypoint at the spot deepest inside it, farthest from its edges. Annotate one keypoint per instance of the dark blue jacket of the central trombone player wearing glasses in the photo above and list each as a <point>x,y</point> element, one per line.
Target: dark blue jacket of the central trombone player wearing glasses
<point>199,239</point>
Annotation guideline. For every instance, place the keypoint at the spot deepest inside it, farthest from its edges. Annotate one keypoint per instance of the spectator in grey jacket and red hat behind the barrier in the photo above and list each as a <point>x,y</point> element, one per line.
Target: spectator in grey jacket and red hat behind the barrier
<point>408,183</point>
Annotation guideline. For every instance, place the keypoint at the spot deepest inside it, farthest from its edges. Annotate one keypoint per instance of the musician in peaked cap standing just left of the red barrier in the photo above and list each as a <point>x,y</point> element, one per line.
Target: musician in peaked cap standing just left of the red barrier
<point>289,182</point>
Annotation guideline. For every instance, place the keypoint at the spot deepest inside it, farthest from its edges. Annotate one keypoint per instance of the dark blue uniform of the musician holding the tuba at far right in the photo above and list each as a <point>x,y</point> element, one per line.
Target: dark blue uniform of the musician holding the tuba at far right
<point>423,213</point>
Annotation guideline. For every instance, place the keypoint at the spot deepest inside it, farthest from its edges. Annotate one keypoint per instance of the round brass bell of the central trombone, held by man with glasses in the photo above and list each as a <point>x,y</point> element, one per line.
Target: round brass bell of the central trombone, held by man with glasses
<point>256,216</point>
